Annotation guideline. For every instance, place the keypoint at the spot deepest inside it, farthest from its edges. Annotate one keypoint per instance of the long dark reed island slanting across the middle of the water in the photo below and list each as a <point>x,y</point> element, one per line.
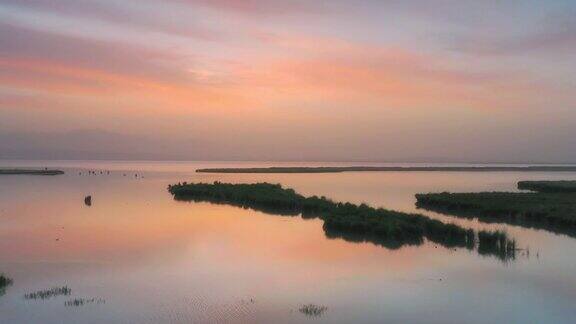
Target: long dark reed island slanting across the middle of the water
<point>357,223</point>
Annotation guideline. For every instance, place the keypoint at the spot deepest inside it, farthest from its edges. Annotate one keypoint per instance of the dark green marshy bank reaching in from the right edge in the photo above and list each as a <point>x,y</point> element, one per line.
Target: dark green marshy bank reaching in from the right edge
<point>552,209</point>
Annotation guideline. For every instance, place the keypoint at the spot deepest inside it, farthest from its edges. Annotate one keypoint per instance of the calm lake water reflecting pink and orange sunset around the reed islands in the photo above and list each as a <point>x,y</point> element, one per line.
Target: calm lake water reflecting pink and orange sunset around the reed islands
<point>146,258</point>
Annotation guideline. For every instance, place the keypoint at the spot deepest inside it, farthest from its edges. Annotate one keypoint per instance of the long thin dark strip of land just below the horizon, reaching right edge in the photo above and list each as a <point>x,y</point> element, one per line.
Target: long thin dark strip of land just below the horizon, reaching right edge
<point>388,169</point>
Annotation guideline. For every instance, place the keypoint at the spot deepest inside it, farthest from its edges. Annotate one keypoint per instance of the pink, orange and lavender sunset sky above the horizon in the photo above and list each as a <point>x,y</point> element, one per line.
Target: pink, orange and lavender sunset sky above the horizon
<point>339,80</point>
